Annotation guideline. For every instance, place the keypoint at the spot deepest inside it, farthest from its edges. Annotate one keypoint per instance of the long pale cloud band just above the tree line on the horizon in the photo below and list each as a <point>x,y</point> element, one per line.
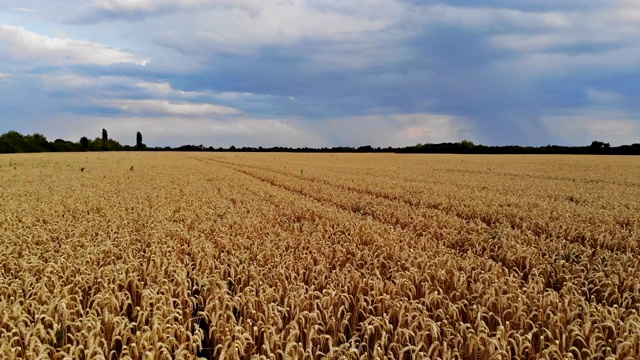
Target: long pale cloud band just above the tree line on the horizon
<point>393,130</point>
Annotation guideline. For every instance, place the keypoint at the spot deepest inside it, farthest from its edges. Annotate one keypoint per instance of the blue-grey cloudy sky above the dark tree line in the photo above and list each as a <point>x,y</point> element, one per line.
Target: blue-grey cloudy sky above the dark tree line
<point>321,73</point>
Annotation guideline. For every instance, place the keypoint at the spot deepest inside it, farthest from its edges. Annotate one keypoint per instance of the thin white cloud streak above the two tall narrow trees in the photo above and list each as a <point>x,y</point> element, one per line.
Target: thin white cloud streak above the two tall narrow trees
<point>168,108</point>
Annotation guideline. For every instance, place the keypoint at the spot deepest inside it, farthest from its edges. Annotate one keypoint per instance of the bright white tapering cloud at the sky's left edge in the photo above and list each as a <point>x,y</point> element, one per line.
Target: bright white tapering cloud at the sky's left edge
<point>24,44</point>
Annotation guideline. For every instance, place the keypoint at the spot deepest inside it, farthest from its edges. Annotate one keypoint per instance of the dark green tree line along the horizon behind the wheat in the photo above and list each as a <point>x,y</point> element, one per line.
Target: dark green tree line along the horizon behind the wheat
<point>14,142</point>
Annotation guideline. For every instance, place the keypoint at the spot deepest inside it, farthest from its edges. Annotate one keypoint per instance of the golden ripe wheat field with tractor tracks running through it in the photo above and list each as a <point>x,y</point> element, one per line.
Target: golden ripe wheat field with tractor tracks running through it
<point>310,256</point>
